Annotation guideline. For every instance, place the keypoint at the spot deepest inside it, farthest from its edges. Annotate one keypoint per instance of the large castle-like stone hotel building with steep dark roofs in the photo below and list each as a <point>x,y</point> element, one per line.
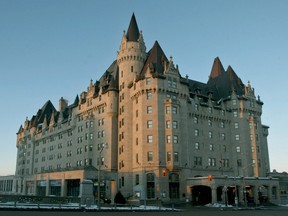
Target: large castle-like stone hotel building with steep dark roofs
<point>146,129</point>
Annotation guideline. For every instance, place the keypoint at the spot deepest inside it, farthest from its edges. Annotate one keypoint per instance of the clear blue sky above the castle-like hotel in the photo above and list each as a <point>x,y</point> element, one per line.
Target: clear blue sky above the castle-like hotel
<point>52,48</point>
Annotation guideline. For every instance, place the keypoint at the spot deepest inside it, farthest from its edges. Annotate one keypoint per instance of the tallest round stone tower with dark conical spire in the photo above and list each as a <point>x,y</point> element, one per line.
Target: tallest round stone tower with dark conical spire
<point>131,58</point>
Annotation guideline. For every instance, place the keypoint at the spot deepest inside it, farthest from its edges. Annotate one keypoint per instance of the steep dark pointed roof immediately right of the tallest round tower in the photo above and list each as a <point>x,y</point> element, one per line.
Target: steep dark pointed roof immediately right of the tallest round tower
<point>155,61</point>
